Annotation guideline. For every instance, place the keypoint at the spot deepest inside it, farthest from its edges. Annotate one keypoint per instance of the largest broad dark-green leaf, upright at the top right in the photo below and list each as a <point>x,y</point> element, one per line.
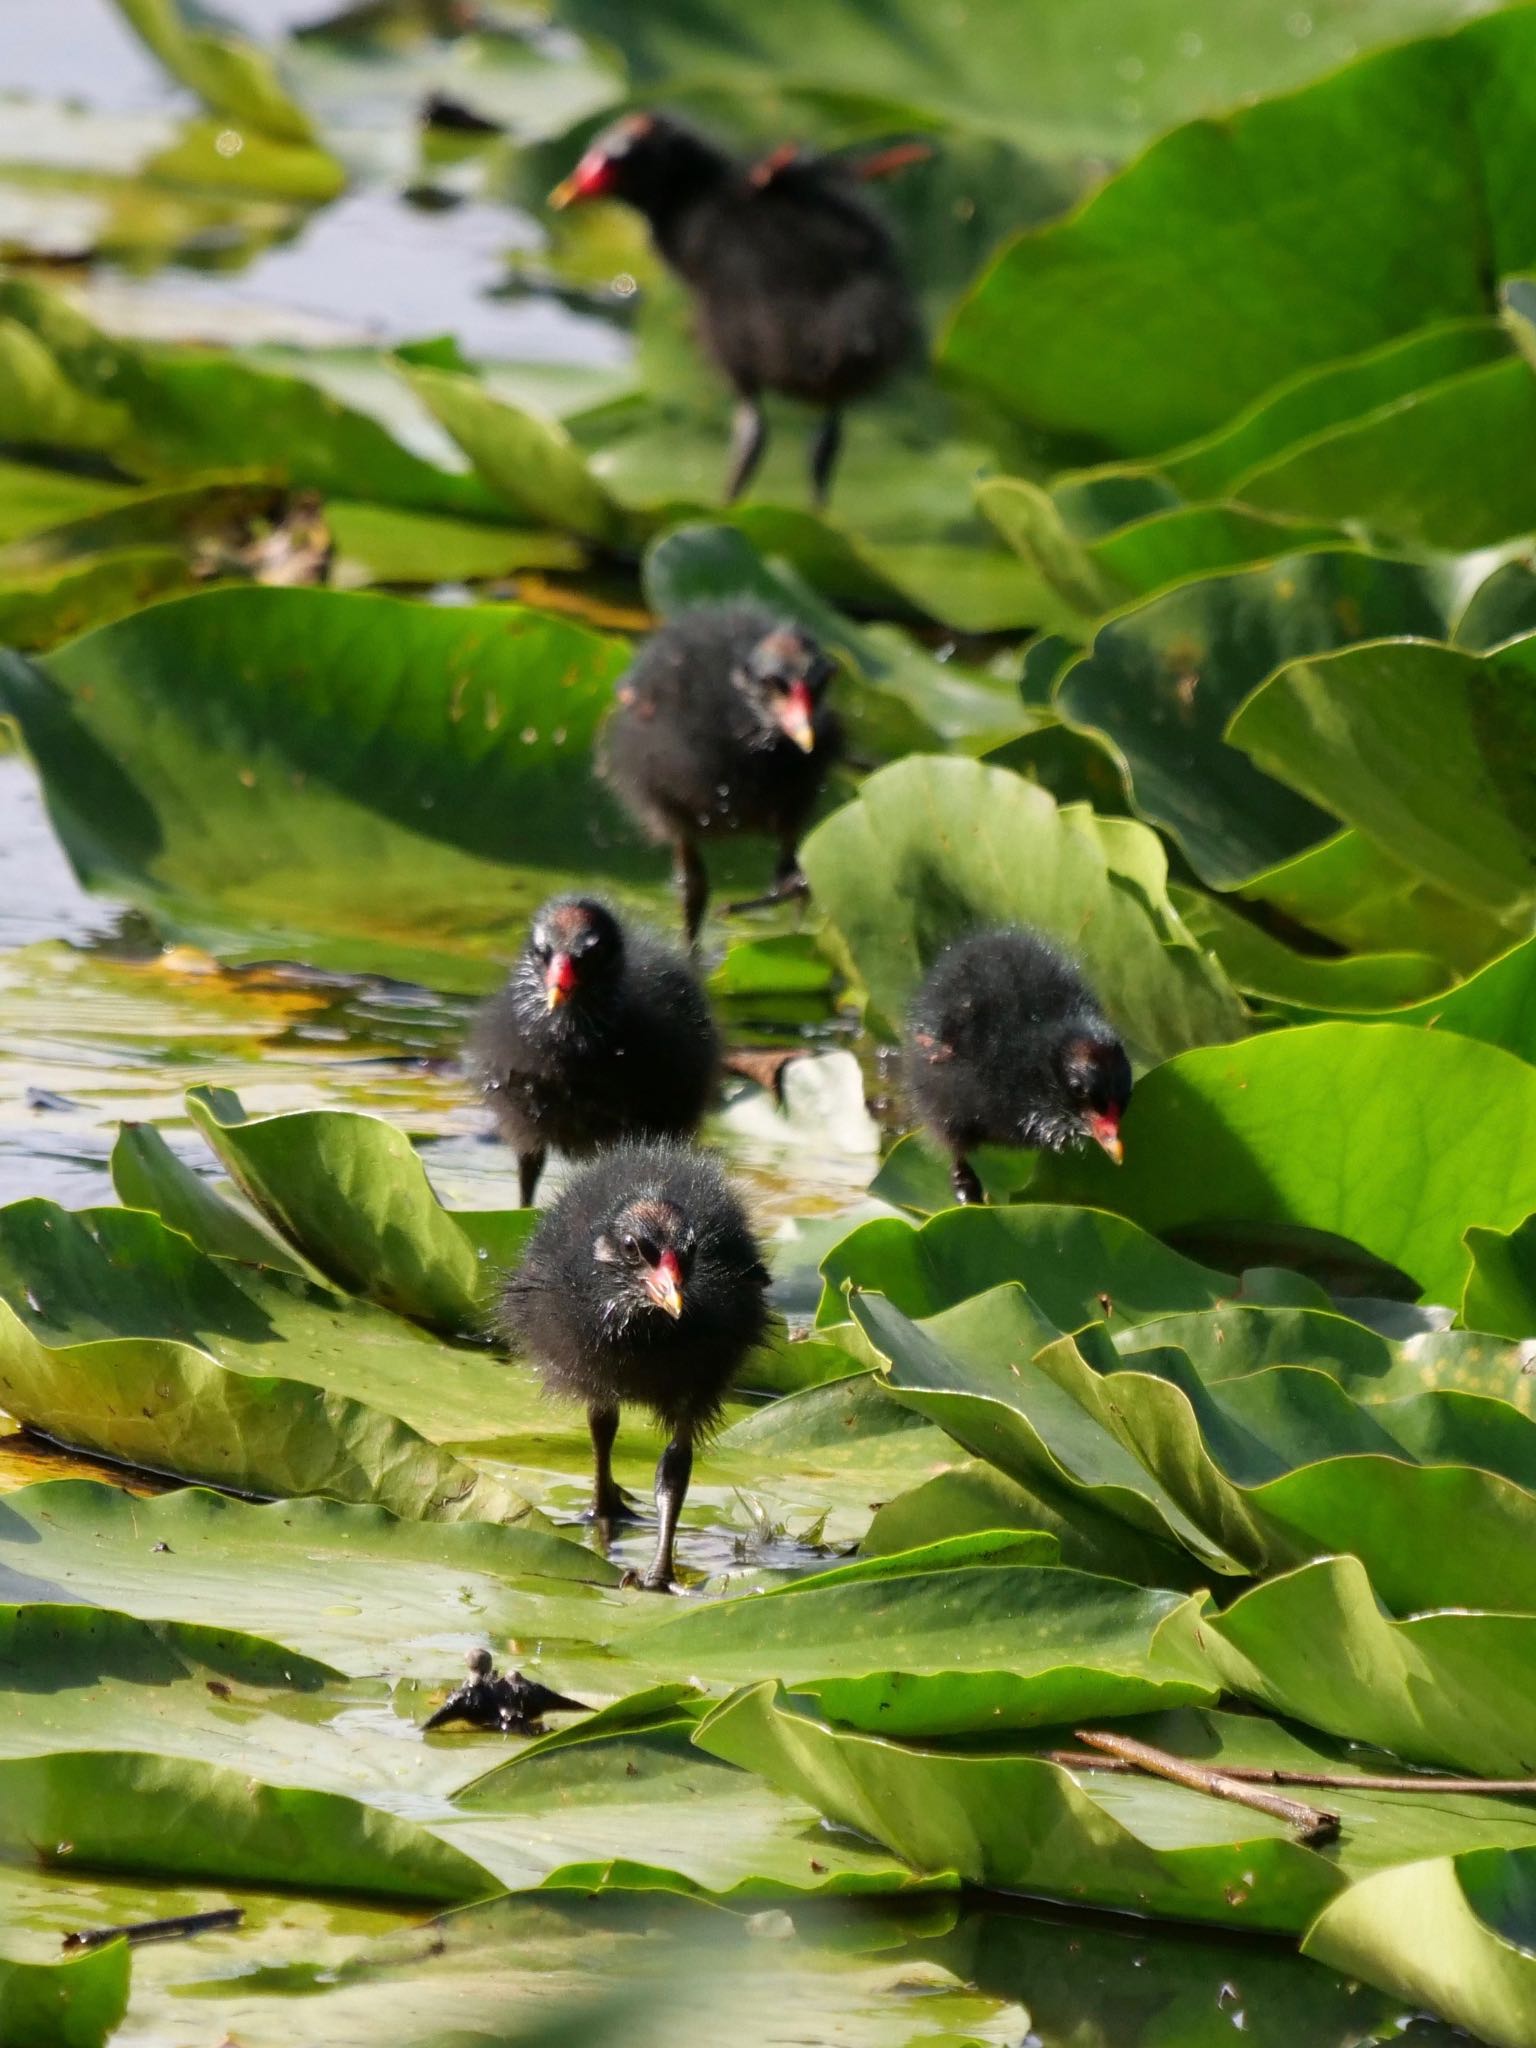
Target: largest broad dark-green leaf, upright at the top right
<point>1244,251</point>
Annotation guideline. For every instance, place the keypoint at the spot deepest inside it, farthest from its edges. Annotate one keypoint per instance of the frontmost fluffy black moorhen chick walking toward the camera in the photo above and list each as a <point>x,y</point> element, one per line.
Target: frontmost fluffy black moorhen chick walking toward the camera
<point>642,1283</point>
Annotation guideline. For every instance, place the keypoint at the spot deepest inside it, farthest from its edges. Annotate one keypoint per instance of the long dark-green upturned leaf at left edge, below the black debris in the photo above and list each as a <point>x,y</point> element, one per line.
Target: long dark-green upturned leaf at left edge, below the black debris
<point>134,1814</point>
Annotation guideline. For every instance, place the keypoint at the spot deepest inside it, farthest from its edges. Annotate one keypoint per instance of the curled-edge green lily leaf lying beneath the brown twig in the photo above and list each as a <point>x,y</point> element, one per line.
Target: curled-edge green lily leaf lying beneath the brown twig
<point>1132,1844</point>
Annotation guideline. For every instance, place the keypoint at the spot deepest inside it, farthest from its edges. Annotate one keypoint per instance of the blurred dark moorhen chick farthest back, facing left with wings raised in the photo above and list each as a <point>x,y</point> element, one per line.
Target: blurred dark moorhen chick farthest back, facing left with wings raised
<point>798,282</point>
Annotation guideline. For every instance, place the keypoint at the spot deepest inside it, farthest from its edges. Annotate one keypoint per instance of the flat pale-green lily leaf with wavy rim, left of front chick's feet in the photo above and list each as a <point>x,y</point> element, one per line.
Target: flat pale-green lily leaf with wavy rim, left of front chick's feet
<point>357,1588</point>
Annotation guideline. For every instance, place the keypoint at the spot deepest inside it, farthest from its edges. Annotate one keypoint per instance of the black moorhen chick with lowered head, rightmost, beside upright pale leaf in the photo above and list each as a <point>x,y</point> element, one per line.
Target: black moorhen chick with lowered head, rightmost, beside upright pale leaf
<point>1009,1048</point>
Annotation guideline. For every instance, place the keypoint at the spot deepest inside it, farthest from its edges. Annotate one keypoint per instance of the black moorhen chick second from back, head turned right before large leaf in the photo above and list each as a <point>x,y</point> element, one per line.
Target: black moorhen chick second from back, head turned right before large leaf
<point>722,728</point>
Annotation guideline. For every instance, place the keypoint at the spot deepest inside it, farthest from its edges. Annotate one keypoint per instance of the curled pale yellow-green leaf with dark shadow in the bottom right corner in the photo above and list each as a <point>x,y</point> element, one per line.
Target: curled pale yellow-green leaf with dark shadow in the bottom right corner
<point>1451,1932</point>
